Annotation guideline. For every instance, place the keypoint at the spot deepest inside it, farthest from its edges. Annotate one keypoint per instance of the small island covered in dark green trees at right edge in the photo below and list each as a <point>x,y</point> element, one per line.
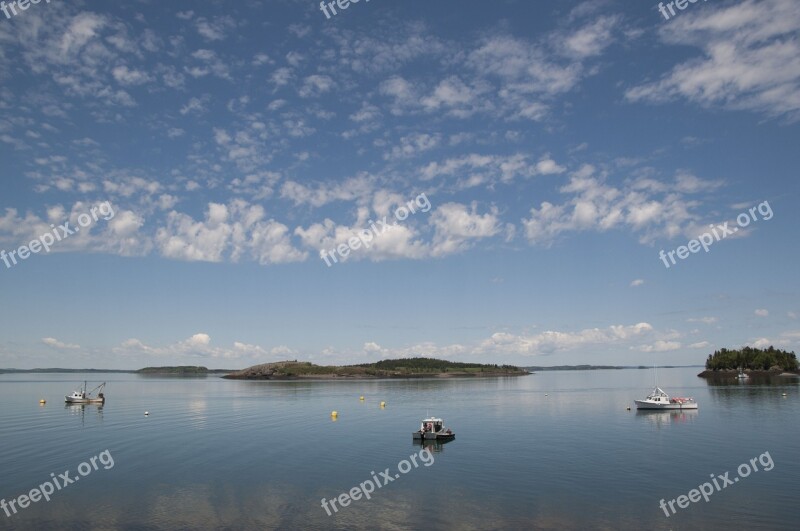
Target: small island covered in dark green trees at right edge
<point>725,362</point>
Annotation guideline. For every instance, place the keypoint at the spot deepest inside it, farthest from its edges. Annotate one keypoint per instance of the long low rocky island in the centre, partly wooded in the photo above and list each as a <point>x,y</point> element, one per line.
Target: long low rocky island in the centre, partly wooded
<point>399,368</point>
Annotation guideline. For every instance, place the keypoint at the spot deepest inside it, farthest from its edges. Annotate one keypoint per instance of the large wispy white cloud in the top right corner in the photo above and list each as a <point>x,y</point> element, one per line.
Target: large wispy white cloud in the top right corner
<point>750,59</point>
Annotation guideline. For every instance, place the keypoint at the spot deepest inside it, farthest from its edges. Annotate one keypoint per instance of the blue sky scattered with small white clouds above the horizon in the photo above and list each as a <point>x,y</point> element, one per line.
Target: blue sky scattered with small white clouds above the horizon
<point>561,146</point>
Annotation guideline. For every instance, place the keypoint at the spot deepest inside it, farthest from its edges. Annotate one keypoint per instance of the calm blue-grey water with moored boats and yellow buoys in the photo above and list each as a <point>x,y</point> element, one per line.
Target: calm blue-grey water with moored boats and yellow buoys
<point>218,454</point>
